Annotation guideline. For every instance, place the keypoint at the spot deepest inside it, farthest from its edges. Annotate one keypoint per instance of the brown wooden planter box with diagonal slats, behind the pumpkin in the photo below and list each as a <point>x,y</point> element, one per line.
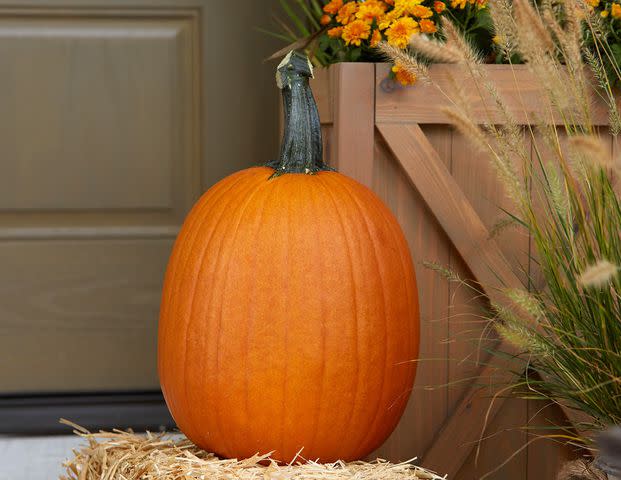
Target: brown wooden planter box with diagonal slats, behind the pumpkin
<point>397,141</point>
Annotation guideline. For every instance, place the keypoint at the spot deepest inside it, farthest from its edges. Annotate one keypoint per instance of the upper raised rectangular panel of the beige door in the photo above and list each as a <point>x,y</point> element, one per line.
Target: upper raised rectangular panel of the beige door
<point>100,109</point>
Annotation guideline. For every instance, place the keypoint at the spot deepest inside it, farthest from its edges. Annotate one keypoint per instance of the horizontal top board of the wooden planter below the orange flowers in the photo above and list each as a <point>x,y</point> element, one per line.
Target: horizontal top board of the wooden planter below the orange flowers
<point>423,104</point>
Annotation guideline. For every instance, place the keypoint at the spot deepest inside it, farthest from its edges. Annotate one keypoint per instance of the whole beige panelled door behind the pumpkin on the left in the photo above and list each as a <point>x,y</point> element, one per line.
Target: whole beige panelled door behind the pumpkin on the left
<point>114,116</point>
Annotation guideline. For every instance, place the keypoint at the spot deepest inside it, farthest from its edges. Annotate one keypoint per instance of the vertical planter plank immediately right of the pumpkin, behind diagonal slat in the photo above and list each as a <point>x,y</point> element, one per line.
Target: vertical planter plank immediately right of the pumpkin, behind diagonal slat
<point>427,407</point>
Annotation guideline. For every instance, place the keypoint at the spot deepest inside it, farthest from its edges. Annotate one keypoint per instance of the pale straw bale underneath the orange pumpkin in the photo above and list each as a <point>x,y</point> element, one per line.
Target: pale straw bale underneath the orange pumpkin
<point>129,456</point>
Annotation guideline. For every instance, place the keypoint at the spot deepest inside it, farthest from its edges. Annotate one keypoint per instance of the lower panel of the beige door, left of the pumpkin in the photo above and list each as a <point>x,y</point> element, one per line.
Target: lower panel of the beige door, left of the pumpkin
<point>80,314</point>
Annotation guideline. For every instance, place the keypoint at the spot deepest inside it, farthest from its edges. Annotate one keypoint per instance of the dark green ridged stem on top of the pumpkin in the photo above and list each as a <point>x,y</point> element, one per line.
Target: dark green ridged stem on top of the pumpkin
<point>301,150</point>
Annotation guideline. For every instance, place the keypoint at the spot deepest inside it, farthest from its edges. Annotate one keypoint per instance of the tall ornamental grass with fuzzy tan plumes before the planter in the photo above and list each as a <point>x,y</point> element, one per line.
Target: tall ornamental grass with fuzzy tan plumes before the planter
<point>562,179</point>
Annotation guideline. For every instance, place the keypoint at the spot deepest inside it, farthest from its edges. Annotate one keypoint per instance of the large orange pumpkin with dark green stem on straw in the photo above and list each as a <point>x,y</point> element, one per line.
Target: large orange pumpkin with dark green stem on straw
<point>289,315</point>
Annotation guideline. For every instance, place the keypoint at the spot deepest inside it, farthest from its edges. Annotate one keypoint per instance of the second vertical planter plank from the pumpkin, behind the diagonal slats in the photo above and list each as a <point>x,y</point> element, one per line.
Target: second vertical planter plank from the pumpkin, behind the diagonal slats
<point>470,334</point>
